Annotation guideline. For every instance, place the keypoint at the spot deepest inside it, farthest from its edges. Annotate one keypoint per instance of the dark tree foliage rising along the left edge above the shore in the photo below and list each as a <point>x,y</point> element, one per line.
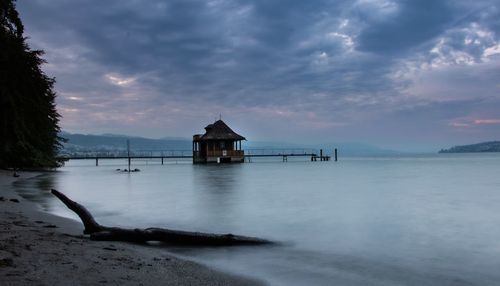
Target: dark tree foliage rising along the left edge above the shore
<point>29,120</point>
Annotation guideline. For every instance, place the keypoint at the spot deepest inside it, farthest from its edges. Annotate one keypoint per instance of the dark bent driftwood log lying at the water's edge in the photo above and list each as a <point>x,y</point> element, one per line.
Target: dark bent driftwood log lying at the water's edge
<point>177,237</point>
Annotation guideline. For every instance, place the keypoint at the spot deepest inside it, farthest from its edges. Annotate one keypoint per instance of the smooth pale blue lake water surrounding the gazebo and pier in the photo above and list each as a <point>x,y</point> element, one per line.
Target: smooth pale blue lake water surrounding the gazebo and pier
<point>416,220</point>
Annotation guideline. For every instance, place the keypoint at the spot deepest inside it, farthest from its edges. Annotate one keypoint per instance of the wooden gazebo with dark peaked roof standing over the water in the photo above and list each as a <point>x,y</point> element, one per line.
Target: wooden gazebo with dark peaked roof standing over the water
<point>219,144</point>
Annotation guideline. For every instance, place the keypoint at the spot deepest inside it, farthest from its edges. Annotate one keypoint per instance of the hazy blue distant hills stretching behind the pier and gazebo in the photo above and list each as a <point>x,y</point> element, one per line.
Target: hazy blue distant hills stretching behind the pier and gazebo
<point>79,143</point>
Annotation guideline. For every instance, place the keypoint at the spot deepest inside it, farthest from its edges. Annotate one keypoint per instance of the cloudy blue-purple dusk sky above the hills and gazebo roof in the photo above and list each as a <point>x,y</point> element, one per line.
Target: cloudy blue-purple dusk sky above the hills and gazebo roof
<point>406,75</point>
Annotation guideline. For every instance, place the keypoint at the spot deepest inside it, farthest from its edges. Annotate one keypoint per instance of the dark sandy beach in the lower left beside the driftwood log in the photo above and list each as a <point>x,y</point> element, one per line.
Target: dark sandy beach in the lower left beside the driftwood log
<point>38,247</point>
